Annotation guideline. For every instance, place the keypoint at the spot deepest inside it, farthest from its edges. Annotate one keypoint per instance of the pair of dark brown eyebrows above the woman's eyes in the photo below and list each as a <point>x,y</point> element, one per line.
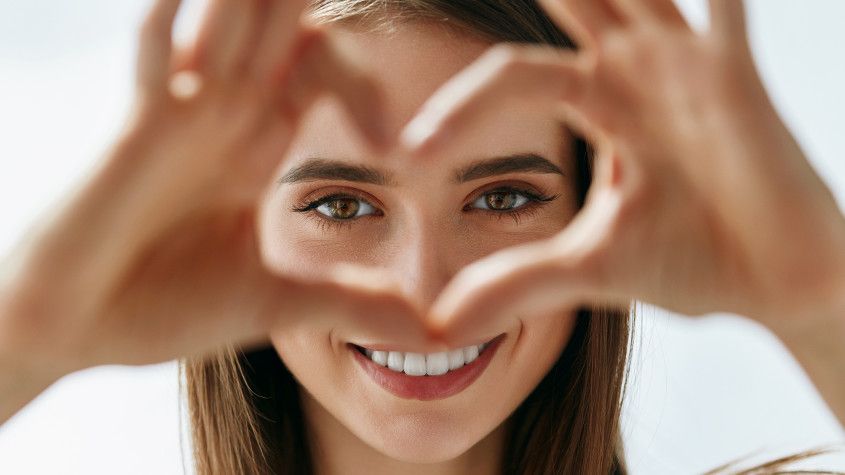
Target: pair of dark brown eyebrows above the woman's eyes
<point>323,169</point>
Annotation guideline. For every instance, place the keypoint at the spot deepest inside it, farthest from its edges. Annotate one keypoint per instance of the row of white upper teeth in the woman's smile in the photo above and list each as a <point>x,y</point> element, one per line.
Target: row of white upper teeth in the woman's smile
<point>432,364</point>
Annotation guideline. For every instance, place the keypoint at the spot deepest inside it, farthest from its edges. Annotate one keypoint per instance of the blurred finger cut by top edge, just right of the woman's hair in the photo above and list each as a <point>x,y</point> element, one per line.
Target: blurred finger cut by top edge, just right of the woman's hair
<point>586,20</point>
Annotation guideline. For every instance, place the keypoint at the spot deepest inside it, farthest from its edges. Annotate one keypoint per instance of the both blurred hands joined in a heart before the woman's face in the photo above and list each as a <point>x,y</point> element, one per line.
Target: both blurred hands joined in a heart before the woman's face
<point>691,159</point>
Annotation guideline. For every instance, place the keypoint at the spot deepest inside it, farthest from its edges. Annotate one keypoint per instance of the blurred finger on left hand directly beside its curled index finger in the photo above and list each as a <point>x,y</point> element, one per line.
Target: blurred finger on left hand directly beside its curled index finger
<point>277,39</point>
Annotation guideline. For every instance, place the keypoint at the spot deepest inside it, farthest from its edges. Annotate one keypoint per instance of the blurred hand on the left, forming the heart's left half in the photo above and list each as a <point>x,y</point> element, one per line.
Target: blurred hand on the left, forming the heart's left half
<point>156,256</point>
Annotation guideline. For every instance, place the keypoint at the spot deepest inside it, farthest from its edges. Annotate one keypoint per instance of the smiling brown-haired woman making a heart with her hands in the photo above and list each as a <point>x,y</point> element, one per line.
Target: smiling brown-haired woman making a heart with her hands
<point>184,273</point>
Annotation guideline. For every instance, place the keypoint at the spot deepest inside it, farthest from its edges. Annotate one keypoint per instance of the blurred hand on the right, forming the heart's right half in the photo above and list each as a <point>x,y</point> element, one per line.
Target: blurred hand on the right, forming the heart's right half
<point>701,202</point>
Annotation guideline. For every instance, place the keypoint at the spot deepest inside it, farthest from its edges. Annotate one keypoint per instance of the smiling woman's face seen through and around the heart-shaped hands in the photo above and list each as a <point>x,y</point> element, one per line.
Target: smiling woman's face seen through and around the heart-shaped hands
<point>420,223</point>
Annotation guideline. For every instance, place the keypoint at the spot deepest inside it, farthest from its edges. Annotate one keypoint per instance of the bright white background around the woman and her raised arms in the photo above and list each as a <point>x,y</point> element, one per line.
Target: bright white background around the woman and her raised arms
<point>705,392</point>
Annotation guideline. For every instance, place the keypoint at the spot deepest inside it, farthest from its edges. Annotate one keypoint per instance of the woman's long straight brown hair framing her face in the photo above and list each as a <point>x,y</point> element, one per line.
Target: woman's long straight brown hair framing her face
<point>245,410</point>
